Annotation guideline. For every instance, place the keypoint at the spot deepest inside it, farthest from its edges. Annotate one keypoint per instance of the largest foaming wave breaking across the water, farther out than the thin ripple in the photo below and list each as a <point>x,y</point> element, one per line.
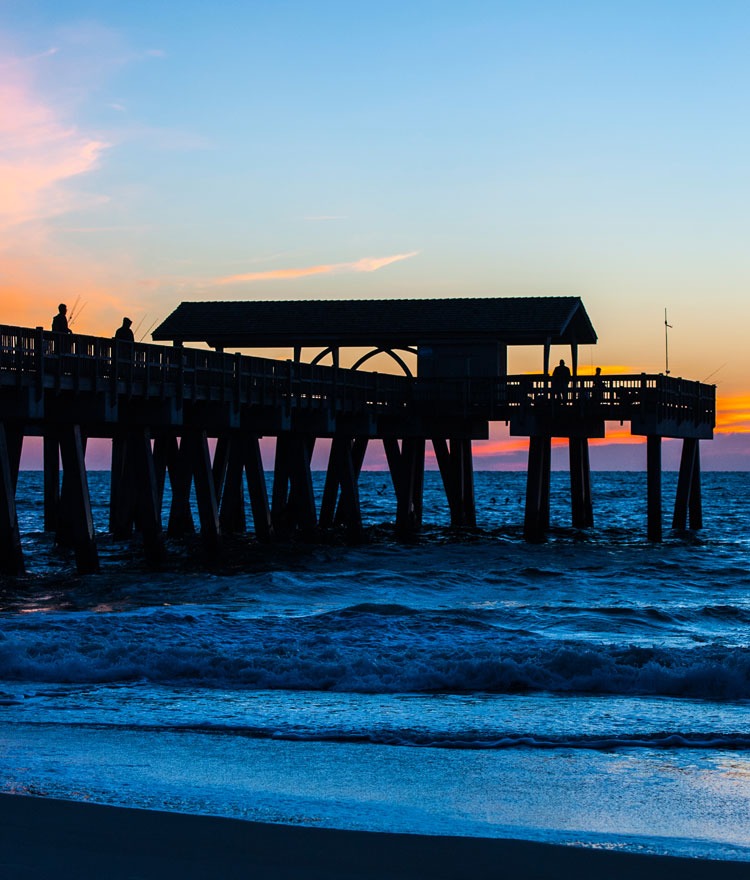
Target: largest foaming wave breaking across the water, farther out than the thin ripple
<point>359,650</point>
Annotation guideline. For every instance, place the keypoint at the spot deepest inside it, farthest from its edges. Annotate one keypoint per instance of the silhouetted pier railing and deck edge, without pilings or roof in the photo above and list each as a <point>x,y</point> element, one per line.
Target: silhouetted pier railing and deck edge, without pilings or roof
<point>45,361</point>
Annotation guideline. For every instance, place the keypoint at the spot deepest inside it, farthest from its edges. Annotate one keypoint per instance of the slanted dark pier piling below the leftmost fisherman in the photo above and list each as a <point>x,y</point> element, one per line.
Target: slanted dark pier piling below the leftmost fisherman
<point>77,501</point>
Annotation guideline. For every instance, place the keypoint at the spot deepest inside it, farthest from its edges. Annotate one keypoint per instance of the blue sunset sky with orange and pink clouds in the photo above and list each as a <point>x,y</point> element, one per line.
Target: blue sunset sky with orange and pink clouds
<point>154,152</point>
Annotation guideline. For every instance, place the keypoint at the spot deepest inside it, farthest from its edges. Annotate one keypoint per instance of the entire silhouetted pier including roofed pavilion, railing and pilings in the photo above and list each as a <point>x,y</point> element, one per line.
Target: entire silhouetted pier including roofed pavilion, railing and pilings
<point>160,405</point>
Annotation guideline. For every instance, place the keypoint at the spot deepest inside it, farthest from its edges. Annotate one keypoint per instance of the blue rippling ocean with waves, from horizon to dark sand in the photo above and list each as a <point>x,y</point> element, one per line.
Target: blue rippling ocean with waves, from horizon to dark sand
<point>592,690</point>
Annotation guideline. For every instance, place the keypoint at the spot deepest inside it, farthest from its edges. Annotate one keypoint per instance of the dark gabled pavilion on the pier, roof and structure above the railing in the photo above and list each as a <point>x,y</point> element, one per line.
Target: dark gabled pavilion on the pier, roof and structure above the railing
<point>456,337</point>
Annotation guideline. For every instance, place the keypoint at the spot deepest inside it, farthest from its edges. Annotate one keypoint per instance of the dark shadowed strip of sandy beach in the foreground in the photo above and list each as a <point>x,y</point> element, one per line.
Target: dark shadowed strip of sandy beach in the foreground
<point>45,838</point>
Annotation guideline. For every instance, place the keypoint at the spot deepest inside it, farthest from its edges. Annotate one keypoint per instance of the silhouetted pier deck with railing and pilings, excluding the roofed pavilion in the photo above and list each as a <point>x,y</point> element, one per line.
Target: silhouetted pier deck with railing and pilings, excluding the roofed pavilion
<point>160,405</point>
